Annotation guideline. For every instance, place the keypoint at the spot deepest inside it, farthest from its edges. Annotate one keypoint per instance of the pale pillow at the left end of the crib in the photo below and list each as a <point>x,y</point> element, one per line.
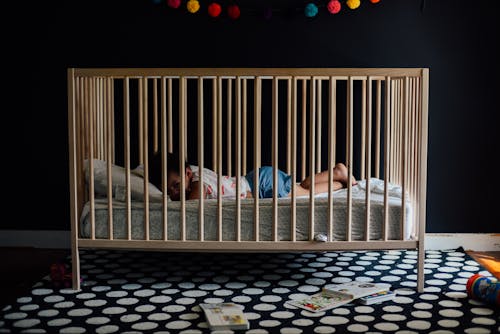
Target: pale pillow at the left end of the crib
<point>118,174</point>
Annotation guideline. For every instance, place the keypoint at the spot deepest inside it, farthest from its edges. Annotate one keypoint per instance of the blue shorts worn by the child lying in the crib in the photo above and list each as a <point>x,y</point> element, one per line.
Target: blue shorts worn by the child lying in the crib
<point>266,182</point>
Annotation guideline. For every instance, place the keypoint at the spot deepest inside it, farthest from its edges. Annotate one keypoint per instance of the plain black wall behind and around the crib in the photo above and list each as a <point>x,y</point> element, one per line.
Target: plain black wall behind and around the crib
<point>455,39</point>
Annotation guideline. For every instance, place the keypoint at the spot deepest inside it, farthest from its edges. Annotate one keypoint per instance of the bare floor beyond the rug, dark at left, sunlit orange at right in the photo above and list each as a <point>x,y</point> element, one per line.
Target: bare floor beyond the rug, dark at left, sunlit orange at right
<point>23,267</point>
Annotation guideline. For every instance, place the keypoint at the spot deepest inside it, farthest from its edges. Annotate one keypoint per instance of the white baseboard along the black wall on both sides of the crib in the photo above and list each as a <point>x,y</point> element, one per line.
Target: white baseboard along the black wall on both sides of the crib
<point>433,241</point>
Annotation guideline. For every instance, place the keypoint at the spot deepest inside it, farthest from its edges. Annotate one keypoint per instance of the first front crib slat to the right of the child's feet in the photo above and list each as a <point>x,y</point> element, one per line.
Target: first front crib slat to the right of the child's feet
<point>368,131</point>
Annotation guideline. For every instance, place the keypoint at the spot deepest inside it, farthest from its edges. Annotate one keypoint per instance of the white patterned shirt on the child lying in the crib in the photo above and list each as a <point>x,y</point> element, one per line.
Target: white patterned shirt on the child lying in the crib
<point>228,183</point>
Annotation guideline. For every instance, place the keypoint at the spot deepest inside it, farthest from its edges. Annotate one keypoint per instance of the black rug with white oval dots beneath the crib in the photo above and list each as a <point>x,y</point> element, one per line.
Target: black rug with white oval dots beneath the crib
<point>150,292</point>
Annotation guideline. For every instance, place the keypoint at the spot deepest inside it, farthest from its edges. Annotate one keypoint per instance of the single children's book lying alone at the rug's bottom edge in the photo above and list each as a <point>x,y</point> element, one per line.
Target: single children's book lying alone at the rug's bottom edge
<point>221,316</point>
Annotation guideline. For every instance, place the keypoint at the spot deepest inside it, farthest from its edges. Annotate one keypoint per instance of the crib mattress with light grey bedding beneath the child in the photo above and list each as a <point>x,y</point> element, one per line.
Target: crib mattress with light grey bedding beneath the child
<point>156,223</point>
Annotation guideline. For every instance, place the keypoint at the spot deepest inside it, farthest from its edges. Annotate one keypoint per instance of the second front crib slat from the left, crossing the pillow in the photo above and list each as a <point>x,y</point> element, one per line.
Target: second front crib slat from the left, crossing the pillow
<point>109,158</point>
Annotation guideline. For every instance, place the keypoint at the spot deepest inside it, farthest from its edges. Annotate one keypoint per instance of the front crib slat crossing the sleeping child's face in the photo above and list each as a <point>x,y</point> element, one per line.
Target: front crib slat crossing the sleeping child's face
<point>182,146</point>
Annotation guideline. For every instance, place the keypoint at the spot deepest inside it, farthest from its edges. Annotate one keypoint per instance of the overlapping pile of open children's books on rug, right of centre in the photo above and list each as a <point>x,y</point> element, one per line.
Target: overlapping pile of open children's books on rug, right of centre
<point>339,295</point>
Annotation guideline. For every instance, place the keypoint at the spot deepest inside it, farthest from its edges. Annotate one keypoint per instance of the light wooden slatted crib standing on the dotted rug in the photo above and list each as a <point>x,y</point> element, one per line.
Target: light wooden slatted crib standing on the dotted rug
<point>233,120</point>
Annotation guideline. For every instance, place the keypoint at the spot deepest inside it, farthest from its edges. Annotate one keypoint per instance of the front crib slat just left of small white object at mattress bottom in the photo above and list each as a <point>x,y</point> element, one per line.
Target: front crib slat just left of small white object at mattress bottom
<point>312,151</point>
